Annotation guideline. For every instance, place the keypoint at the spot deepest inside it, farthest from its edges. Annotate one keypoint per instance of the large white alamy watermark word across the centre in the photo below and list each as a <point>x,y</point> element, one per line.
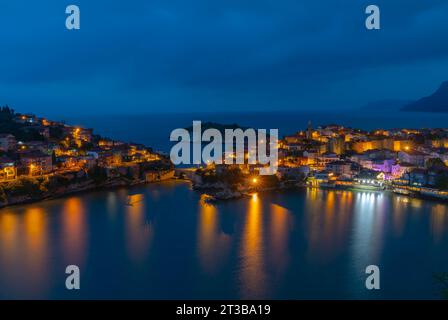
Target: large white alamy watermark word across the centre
<point>261,148</point>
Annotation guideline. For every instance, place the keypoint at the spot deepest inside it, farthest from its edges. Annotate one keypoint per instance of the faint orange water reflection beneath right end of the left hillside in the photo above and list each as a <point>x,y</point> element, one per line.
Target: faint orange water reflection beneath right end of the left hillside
<point>138,231</point>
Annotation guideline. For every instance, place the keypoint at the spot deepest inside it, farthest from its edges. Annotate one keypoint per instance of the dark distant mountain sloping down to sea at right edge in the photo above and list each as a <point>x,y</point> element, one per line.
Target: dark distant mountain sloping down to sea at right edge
<point>437,102</point>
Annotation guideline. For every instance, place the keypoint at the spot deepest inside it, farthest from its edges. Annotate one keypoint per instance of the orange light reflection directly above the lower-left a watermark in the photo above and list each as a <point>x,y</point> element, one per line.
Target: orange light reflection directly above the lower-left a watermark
<point>75,233</point>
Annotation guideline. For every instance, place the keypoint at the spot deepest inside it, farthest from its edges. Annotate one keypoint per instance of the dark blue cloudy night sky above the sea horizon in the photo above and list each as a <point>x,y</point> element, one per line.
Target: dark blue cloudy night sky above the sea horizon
<point>144,56</point>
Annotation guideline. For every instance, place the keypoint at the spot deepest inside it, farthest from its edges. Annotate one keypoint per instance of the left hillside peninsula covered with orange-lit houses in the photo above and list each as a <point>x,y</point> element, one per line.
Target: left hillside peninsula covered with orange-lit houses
<point>42,159</point>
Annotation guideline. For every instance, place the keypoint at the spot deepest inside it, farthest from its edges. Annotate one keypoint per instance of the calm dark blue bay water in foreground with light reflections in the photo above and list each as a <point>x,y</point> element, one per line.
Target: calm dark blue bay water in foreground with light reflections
<point>296,244</point>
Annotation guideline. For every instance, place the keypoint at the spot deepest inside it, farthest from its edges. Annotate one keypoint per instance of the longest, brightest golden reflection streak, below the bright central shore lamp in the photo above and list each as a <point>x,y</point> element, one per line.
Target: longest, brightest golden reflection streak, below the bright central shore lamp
<point>252,255</point>
